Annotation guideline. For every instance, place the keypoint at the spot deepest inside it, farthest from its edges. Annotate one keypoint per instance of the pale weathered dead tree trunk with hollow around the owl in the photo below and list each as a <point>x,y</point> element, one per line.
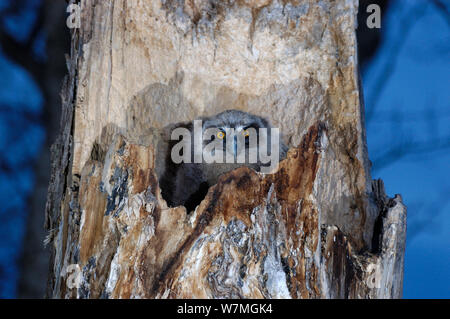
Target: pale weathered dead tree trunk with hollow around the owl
<point>318,227</point>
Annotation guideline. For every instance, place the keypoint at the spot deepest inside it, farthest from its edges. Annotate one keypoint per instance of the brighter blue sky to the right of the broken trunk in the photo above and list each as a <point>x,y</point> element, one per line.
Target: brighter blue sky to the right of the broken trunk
<point>417,91</point>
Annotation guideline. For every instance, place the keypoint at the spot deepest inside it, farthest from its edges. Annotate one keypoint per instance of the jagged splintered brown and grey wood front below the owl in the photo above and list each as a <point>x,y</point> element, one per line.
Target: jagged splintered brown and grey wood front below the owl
<point>254,235</point>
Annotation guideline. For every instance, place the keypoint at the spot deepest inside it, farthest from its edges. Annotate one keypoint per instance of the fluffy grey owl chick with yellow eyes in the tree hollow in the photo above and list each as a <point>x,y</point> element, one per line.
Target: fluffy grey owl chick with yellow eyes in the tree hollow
<point>216,145</point>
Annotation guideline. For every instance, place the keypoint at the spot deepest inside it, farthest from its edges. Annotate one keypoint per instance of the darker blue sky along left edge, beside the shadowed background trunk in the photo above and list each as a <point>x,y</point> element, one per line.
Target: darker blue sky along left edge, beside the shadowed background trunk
<point>21,139</point>
